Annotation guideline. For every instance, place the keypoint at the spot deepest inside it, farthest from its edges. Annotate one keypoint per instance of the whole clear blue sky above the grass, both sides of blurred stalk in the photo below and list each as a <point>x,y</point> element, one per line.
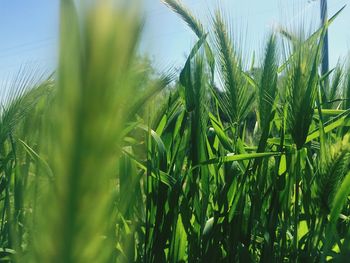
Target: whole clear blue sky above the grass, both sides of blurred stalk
<point>29,28</point>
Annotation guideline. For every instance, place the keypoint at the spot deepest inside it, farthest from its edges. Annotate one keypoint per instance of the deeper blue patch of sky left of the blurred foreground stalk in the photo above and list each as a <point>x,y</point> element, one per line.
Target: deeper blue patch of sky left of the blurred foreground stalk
<point>29,33</point>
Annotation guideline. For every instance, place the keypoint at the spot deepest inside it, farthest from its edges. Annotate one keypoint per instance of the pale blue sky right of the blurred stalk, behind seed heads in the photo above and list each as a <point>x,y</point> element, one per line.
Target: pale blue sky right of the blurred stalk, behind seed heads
<point>167,39</point>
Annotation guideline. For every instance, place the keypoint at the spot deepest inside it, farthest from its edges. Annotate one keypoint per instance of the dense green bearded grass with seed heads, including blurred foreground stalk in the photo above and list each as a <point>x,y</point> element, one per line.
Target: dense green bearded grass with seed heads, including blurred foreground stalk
<point>225,161</point>
